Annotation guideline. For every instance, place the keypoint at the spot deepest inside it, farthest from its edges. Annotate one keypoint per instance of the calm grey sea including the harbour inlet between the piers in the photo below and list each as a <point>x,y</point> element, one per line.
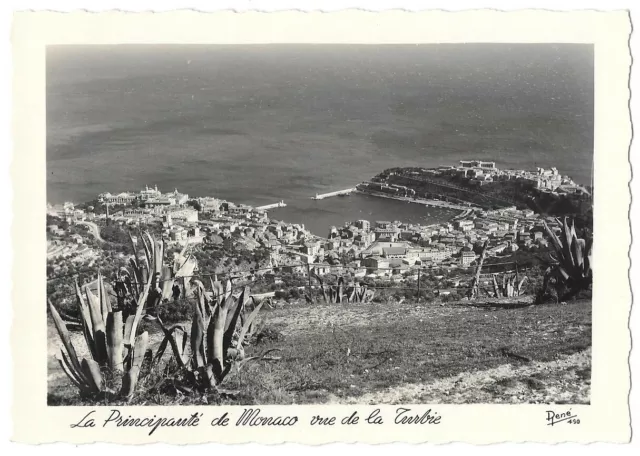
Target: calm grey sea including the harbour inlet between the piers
<point>257,124</point>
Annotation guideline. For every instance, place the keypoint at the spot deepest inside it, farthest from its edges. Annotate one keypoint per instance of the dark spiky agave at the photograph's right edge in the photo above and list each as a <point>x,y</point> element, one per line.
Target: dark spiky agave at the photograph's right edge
<point>572,260</point>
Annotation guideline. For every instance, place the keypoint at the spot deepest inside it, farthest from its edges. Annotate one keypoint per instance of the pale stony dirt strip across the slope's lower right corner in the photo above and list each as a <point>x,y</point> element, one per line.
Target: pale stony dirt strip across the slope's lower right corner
<point>566,380</point>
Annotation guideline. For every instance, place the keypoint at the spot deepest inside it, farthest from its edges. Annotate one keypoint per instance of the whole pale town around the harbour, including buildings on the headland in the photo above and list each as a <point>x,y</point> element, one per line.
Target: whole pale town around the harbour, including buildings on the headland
<point>385,249</point>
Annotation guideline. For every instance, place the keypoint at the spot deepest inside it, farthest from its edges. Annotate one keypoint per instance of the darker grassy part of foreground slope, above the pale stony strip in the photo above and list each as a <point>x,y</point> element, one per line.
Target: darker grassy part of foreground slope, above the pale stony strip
<point>333,353</point>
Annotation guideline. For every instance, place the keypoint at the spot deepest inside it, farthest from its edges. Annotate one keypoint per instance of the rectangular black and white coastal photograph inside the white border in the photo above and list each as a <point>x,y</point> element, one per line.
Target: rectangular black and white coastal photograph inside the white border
<point>282,224</point>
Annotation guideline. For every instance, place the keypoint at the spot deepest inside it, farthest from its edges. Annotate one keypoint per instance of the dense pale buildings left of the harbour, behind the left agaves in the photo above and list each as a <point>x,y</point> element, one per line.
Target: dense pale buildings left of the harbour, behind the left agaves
<point>208,221</point>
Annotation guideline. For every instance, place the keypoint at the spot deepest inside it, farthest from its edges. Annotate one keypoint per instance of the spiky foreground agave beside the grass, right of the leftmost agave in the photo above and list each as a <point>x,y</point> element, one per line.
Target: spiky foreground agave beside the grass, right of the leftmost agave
<point>218,334</point>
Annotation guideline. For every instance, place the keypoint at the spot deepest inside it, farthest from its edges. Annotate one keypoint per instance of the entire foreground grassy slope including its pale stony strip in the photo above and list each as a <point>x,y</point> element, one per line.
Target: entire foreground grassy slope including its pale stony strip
<point>395,353</point>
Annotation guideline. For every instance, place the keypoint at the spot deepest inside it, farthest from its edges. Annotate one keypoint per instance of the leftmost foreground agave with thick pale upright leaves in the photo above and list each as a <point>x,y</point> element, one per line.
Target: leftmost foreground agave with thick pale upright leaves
<point>113,346</point>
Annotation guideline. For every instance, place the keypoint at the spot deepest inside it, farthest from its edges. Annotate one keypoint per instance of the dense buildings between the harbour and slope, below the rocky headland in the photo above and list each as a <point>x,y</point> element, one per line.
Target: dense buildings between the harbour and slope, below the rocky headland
<point>388,248</point>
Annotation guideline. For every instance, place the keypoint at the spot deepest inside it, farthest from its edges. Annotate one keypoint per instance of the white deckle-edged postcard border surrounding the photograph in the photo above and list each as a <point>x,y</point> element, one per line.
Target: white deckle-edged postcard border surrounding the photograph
<point>606,419</point>
